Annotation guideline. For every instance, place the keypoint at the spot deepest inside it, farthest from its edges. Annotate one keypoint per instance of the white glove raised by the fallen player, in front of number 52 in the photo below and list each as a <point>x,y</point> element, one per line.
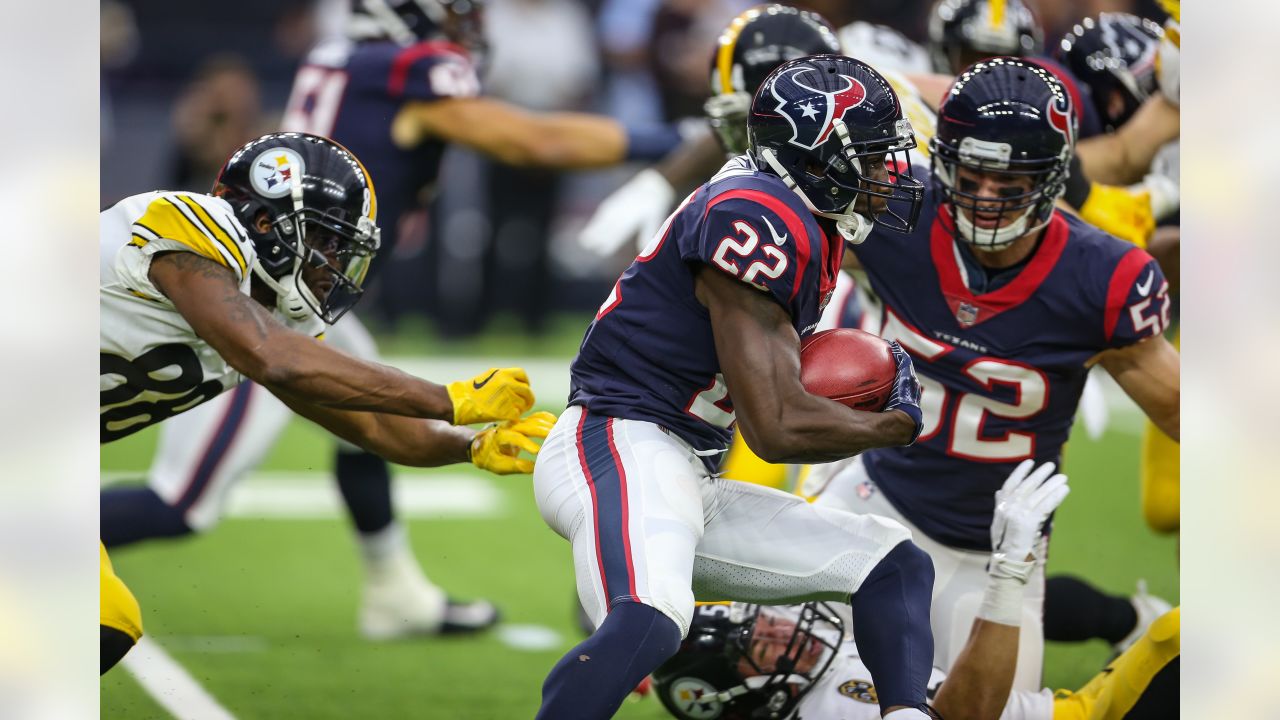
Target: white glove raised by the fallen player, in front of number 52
<point>1023,507</point>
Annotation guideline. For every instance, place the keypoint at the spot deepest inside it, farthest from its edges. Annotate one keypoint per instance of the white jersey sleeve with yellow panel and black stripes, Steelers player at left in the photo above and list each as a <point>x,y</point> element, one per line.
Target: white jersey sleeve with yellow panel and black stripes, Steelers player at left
<point>194,224</point>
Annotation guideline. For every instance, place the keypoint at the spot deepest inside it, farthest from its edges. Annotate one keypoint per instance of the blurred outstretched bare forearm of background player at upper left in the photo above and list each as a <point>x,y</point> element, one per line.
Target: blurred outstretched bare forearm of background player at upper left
<point>520,138</point>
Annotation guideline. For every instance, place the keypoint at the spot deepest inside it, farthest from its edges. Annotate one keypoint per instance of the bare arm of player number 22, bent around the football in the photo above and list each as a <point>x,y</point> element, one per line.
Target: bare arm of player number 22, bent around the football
<point>760,354</point>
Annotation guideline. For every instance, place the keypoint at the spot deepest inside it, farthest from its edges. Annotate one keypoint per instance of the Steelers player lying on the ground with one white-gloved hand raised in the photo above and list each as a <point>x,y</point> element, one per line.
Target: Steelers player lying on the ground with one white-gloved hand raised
<point>743,662</point>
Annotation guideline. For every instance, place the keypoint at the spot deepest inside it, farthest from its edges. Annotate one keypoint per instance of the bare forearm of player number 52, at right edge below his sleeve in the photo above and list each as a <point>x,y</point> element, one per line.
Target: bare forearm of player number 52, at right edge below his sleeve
<point>1150,373</point>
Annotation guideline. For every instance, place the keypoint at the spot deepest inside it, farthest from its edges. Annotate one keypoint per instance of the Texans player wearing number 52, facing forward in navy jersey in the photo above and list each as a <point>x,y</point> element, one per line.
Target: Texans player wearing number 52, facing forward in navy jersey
<point>1004,303</point>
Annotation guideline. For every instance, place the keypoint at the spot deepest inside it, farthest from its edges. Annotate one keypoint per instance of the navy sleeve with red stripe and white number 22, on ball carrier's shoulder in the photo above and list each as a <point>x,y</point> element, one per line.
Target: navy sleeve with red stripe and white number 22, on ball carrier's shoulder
<point>760,240</point>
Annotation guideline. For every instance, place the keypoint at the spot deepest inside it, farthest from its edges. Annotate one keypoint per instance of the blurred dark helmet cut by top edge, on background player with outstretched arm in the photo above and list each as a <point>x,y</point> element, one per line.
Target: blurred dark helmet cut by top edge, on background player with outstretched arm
<point>414,21</point>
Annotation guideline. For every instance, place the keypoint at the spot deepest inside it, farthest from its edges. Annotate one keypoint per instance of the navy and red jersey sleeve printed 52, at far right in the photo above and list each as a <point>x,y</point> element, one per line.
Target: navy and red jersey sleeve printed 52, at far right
<point>1137,303</point>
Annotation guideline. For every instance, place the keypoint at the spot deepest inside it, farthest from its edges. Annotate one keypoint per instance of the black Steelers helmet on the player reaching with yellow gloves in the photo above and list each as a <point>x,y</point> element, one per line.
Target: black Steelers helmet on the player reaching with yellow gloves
<point>323,211</point>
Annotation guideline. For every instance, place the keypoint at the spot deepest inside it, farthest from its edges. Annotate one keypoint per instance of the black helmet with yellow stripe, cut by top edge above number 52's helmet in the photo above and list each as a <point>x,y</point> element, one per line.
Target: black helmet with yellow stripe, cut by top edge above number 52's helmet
<point>963,33</point>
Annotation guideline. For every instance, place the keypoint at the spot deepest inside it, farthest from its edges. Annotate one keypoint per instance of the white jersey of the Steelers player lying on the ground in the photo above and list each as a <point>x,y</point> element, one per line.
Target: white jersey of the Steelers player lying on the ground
<point>845,692</point>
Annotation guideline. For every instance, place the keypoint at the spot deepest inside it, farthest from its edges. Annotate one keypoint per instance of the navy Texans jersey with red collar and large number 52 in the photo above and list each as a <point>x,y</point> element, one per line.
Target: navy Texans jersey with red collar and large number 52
<point>1002,372</point>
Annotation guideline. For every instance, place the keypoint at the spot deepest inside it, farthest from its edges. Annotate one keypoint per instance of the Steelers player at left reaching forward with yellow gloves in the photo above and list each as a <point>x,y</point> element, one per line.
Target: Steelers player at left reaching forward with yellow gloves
<point>202,291</point>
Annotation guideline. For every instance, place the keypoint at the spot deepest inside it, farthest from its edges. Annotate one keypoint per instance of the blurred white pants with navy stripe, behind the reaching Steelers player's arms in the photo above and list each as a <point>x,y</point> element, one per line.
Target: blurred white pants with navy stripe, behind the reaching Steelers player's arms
<point>207,450</point>
